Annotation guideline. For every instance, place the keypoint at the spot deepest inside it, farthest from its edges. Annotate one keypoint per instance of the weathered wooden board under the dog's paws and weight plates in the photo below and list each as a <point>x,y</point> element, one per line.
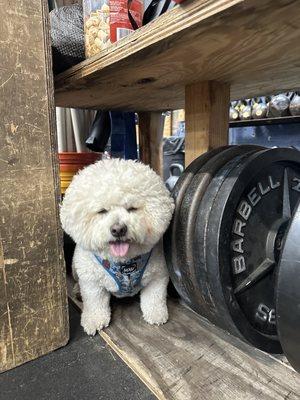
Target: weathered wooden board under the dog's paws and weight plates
<point>189,359</point>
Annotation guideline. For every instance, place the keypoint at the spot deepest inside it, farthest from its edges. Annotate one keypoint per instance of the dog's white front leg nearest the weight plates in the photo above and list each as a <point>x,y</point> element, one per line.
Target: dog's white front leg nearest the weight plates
<point>154,301</point>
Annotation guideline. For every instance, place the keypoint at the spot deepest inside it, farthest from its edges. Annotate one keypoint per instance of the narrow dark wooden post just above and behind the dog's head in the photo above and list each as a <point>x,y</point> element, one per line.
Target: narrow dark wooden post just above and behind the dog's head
<point>150,139</point>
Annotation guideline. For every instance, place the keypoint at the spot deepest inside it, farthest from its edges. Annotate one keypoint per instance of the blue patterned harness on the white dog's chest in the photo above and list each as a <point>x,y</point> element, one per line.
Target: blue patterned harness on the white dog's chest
<point>127,275</point>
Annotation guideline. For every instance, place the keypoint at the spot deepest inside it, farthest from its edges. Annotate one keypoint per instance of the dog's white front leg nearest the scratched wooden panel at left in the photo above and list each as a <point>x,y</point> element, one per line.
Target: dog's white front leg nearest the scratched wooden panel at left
<point>96,308</point>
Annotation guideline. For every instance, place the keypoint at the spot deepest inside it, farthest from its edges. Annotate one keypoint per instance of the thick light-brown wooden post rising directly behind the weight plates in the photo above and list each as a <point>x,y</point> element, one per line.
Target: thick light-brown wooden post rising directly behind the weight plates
<point>206,117</point>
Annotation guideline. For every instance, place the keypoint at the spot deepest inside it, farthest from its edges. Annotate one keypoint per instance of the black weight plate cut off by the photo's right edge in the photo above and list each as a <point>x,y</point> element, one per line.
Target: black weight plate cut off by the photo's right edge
<point>288,291</point>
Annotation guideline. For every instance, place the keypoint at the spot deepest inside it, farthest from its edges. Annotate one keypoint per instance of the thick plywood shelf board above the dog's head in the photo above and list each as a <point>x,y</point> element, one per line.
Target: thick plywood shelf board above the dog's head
<point>252,44</point>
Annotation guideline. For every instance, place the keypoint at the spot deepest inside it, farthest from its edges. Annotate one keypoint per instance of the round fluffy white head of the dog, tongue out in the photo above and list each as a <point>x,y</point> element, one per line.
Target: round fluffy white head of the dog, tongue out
<point>116,208</point>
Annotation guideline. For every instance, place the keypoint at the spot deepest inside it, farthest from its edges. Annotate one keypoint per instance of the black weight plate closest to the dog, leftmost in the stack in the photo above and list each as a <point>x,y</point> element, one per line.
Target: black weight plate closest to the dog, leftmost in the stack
<point>177,274</point>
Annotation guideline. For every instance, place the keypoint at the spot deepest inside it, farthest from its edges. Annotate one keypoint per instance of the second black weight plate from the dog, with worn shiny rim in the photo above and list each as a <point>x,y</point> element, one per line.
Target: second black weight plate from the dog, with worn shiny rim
<point>183,239</point>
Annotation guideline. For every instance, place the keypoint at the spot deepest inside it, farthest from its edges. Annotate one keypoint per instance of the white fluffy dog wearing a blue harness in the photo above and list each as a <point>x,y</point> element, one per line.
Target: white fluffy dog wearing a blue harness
<point>116,211</point>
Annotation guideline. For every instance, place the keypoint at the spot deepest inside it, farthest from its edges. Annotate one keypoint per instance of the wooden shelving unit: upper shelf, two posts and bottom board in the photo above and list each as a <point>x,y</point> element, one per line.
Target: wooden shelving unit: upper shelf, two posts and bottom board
<point>198,56</point>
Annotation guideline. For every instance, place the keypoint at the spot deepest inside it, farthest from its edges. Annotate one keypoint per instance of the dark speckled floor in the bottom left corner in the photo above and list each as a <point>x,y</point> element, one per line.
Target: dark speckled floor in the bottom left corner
<point>86,369</point>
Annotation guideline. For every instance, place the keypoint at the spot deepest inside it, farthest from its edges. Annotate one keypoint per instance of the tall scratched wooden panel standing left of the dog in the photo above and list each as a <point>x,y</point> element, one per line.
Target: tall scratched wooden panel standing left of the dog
<point>33,303</point>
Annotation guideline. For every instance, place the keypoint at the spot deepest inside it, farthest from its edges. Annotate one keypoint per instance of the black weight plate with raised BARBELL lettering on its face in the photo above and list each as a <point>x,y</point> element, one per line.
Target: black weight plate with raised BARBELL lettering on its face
<point>244,236</point>
